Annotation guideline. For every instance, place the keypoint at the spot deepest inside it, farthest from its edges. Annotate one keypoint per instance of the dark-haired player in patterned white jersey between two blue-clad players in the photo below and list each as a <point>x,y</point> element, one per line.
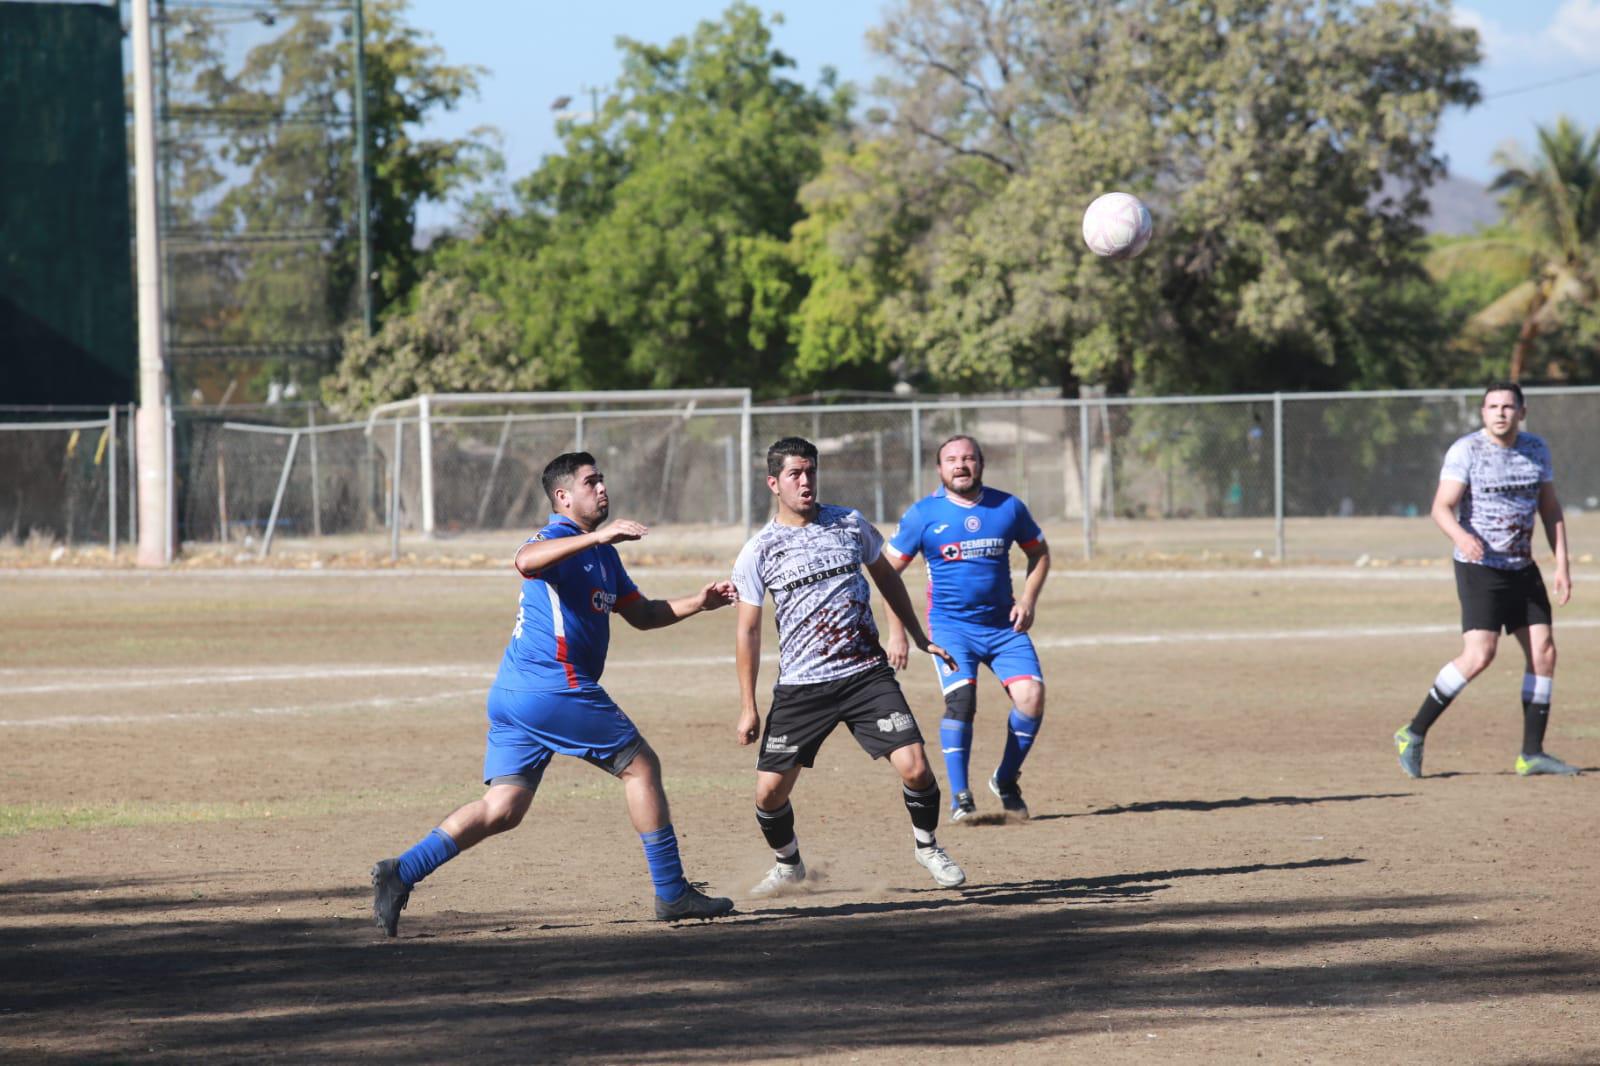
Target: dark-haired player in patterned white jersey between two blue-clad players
<point>831,668</point>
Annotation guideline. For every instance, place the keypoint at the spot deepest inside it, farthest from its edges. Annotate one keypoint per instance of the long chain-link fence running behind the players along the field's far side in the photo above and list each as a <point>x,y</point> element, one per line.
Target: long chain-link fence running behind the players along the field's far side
<point>1266,476</point>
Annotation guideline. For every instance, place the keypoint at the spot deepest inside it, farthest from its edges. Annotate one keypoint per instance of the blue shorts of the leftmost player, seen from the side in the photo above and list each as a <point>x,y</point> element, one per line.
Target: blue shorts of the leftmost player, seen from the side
<point>529,727</point>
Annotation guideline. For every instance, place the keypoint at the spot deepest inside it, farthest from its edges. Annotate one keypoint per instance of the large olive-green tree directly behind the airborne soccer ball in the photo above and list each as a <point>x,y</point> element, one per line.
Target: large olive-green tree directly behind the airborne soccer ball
<point>1260,132</point>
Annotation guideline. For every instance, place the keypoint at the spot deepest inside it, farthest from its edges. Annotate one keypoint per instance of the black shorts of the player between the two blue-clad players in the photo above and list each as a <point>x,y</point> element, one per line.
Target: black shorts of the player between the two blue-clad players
<point>802,716</point>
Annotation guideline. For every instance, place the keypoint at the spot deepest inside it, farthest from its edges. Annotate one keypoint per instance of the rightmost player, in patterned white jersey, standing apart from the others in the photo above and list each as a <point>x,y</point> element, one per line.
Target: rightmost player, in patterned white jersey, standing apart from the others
<point>1494,484</point>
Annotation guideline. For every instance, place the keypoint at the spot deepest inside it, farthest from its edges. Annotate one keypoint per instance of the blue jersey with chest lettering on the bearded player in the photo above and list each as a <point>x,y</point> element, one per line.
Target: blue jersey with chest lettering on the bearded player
<point>969,551</point>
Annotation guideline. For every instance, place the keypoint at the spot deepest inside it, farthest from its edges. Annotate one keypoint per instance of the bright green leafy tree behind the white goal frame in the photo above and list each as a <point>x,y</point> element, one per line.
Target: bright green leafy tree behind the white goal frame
<point>652,252</point>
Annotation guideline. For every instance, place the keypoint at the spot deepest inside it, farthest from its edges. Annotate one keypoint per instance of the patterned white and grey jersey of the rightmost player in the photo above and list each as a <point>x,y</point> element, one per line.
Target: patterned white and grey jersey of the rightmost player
<point>1503,494</point>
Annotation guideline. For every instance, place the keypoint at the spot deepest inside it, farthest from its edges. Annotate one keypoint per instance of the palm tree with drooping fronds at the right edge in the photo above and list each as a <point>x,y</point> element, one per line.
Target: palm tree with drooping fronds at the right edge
<point>1554,202</point>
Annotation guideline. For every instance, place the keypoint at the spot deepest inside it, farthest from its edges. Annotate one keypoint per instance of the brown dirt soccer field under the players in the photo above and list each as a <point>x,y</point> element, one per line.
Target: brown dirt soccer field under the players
<point>1225,862</point>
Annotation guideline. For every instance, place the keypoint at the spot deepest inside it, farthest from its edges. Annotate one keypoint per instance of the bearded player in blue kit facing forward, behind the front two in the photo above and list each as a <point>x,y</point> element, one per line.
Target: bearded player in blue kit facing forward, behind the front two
<point>966,532</point>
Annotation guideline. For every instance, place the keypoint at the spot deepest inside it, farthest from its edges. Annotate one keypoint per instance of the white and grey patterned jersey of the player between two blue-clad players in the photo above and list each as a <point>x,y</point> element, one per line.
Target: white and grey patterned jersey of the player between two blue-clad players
<point>825,611</point>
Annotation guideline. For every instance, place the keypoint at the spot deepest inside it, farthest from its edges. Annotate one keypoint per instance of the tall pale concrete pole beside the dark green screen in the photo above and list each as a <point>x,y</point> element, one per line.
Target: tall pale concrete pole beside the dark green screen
<point>156,537</point>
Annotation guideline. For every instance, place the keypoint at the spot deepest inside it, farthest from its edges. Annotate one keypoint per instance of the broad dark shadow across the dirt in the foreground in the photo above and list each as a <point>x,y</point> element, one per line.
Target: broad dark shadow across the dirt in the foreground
<point>980,969</point>
